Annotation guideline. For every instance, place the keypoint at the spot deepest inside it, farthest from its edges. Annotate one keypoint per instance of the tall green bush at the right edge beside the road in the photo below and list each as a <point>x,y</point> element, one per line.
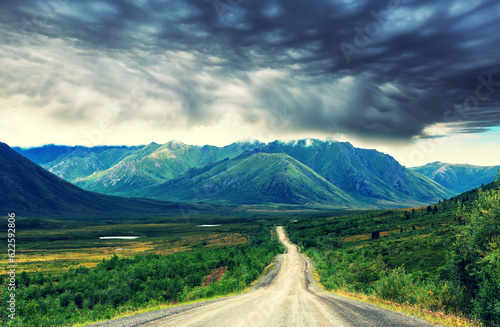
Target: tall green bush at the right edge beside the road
<point>475,260</point>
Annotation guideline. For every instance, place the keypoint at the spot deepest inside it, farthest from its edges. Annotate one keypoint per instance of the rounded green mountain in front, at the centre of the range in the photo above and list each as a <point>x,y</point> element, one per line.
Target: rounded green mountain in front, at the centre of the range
<point>253,178</point>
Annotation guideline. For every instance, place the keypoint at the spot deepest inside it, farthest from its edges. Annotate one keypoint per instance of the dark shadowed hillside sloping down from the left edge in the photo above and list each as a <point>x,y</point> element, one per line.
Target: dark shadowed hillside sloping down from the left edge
<point>28,189</point>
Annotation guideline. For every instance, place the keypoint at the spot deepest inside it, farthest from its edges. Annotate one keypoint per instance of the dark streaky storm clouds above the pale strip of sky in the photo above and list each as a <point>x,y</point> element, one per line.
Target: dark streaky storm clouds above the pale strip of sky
<point>371,68</point>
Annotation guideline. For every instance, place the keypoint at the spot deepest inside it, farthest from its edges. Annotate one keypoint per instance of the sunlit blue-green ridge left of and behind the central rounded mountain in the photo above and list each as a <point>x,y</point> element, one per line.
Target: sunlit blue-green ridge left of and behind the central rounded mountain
<point>120,170</point>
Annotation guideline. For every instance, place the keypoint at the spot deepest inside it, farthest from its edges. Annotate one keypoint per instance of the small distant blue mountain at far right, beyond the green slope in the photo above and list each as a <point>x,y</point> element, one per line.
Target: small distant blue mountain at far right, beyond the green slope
<point>458,177</point>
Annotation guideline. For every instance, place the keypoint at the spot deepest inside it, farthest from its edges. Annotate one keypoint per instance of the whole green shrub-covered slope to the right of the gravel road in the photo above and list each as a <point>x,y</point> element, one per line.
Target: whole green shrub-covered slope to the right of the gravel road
<point>441,258</point>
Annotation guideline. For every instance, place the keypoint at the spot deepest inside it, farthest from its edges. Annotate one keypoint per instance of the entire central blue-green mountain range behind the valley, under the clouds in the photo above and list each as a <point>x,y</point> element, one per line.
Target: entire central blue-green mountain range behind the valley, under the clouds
<point>306,171</point>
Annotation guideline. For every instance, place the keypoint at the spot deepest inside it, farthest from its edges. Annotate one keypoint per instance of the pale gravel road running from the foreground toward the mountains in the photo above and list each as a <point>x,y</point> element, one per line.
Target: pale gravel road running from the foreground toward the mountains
<point>288,298</point>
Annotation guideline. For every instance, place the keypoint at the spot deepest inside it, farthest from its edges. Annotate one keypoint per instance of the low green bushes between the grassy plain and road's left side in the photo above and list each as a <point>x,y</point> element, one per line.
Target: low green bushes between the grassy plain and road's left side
<point>128,284</point>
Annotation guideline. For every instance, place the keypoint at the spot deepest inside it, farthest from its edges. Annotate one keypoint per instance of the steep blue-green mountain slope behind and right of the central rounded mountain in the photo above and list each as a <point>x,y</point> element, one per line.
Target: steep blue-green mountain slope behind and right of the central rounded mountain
<point>368,175</point>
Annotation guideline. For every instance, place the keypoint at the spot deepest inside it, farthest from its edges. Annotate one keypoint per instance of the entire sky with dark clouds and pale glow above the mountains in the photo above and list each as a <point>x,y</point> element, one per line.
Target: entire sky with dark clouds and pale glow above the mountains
<point>417,79</point>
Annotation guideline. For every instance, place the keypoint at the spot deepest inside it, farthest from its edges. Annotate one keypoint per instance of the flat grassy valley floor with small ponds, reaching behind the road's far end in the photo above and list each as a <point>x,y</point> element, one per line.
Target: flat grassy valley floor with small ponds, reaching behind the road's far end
<point>55,245</point>
